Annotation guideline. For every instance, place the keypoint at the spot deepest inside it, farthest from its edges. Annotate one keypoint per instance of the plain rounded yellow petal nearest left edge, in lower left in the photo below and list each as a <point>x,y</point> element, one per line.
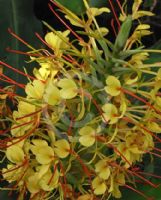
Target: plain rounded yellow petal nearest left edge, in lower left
<point>15,154</point>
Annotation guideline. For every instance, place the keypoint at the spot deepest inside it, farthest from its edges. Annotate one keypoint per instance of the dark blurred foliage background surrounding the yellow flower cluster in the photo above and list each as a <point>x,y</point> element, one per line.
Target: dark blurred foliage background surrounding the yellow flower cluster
<point>24,18</point>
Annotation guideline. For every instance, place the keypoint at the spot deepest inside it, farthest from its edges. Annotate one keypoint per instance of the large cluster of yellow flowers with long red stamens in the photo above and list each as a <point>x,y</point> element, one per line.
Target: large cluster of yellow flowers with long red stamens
<point>90,114</point>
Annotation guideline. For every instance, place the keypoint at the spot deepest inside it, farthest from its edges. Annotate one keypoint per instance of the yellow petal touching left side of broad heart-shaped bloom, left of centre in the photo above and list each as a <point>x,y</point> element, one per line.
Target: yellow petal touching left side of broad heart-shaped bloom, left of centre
<point>52,95</point>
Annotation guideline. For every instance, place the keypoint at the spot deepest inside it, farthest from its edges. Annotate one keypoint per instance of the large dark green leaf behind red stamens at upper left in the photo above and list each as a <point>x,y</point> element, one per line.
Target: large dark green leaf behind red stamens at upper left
<point>19,16</point>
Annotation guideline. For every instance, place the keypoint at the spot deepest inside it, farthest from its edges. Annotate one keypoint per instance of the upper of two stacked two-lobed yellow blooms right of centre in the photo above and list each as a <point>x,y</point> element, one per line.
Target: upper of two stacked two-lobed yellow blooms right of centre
<point>113,86</point>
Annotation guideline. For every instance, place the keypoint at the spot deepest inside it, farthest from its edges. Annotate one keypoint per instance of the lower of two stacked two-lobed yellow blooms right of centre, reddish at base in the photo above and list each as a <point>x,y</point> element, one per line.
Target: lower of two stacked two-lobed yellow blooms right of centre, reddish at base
<point>110,113</point>
